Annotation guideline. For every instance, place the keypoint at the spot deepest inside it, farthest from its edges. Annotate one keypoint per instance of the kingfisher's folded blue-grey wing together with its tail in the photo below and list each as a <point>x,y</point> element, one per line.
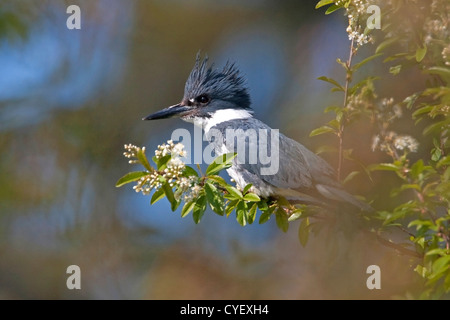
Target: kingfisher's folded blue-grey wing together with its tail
<point>297,172</point>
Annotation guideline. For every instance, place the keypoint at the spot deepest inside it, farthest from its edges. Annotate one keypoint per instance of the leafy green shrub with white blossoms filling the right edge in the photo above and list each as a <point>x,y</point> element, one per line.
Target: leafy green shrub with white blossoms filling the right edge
<point>414,35</point>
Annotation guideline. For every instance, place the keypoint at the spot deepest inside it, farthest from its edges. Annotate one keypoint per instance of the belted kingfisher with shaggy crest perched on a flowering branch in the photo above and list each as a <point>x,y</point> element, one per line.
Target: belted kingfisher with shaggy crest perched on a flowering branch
<point>218,100</point>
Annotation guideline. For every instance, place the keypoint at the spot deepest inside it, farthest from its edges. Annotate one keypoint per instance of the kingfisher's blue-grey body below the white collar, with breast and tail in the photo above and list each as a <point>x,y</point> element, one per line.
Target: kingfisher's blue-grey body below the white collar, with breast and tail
<point>302,176</point>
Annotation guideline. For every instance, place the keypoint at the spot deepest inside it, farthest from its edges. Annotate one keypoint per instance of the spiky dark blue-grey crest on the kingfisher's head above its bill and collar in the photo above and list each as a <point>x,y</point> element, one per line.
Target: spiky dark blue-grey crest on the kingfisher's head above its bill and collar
<point>226,84</point>
